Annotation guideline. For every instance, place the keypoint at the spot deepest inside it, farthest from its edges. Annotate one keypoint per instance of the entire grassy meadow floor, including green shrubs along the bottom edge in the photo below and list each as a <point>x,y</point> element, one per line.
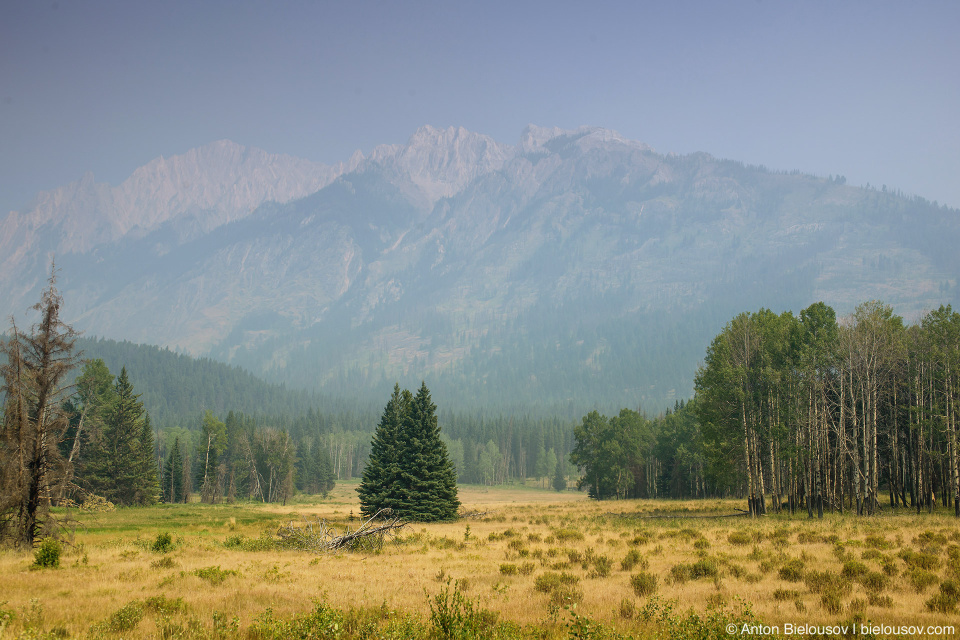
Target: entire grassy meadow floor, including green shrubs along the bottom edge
<point>536,564</point>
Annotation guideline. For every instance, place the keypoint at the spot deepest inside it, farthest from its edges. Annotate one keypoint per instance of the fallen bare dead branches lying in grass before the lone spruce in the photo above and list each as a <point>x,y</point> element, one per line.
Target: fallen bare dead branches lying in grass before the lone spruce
<point>317,536</point>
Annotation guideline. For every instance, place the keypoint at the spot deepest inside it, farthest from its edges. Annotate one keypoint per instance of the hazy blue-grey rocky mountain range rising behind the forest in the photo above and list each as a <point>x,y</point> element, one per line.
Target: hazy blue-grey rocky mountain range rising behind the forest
<point>570,270</point>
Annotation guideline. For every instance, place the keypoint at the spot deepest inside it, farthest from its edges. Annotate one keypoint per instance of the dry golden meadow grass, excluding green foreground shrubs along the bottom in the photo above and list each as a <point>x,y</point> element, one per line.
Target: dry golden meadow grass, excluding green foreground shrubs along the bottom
<point>790,569</point>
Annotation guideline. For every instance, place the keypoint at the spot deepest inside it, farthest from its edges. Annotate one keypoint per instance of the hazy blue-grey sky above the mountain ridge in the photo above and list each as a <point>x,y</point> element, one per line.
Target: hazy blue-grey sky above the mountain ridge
<point>870,90</point>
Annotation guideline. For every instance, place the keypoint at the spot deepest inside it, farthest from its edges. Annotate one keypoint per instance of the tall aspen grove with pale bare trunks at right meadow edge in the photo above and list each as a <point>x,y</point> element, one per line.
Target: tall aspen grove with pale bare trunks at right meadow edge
<point>824,414</point>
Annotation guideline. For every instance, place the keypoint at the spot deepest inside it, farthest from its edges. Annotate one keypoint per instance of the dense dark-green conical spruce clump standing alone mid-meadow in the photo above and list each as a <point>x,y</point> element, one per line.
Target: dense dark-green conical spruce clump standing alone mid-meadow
<point>409,469</point>
